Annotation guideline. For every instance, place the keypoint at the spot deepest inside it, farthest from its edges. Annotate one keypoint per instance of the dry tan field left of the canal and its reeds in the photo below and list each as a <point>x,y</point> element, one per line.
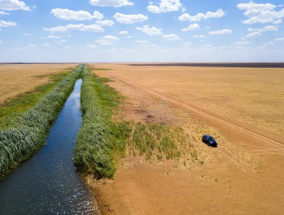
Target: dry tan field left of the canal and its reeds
<point>19,78</point>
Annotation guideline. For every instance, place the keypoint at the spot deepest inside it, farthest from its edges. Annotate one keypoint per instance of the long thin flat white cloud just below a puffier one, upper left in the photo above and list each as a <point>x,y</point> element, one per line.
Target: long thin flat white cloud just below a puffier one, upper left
<point>79,27</point>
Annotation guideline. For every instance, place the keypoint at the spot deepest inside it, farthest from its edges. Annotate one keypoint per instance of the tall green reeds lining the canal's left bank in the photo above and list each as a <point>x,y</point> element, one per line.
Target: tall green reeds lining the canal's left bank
<point>25,133</point>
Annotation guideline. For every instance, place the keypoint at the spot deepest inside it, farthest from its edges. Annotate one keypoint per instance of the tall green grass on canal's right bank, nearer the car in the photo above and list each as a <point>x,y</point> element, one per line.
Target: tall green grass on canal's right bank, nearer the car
<point>99,136</point>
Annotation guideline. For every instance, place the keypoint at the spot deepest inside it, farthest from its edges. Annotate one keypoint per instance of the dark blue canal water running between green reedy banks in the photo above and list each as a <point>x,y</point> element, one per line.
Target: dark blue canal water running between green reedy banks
<point>48,183</point>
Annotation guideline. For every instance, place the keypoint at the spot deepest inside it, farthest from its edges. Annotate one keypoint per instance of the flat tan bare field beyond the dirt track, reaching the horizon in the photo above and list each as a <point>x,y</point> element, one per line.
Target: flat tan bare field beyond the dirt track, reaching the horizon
<point>250,95</point>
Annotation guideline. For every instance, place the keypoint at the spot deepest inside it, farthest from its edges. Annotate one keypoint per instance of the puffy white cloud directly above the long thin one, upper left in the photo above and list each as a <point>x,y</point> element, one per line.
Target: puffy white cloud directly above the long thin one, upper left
<point>75,15</point>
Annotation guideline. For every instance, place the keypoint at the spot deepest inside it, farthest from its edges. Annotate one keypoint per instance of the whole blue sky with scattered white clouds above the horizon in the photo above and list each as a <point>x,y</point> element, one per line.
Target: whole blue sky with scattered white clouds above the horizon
<point>141,31</point>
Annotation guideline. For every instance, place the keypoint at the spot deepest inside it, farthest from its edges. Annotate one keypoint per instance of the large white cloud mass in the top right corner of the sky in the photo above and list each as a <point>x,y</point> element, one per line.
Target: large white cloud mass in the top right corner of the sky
<point>260,13</point>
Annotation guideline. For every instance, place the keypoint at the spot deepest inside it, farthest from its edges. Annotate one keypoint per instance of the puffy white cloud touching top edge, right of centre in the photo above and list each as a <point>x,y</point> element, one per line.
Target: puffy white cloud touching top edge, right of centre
<point>166,6</point>
